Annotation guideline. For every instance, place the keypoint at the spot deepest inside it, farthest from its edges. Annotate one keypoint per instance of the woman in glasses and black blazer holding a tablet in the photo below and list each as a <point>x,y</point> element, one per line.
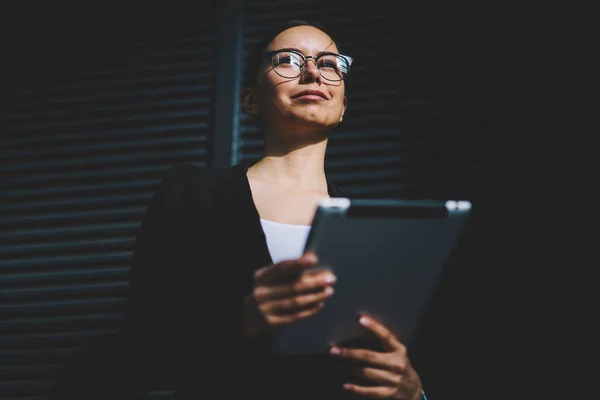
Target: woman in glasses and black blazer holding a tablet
<point>218,264</point>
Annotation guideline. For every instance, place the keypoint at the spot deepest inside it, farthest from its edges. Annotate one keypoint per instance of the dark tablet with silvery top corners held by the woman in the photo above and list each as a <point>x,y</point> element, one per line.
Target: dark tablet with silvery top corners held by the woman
<point>387,256</point>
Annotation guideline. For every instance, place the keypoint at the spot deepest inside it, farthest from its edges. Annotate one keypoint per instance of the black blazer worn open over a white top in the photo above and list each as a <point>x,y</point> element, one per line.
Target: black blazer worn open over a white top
<point>199,243</point>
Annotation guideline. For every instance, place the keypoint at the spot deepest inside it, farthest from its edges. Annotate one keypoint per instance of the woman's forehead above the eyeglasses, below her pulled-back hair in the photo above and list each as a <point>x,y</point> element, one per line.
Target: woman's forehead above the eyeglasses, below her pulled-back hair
<point>309,40</point>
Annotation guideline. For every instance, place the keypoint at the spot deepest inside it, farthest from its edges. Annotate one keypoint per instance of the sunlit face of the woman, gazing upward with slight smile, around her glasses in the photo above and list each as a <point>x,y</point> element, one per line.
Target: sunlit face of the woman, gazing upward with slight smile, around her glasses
<point>283,104</point>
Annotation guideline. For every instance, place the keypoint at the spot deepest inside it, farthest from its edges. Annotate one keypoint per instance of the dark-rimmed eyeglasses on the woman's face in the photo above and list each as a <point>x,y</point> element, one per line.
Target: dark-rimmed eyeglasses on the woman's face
<point>289,63</point>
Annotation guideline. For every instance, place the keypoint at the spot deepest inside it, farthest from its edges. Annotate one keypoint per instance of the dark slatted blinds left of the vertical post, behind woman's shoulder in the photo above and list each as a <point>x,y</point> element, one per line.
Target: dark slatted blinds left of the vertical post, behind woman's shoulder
<point>95,122</point>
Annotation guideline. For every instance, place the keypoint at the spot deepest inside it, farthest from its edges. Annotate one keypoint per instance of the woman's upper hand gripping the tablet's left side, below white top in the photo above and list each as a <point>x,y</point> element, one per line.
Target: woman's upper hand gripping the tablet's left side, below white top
<point>286,292</point>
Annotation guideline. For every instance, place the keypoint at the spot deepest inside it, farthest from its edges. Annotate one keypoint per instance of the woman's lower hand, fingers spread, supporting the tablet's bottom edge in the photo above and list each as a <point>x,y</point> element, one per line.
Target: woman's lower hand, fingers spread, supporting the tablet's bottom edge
<point>390,371</point>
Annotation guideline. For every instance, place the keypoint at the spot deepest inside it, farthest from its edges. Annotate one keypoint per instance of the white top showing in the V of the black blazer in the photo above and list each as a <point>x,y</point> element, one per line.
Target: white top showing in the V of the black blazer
<point>285,241</point>
